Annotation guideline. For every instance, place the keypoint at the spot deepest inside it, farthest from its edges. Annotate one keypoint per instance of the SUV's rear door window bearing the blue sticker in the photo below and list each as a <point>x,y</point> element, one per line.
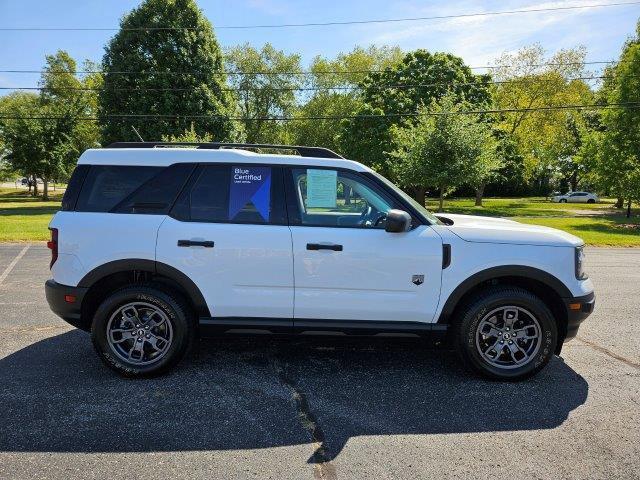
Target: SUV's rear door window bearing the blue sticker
<point>233,194</point>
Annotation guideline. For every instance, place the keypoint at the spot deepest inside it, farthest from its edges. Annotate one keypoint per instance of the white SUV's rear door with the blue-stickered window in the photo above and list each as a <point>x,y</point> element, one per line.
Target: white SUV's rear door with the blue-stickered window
<point>228,233</point>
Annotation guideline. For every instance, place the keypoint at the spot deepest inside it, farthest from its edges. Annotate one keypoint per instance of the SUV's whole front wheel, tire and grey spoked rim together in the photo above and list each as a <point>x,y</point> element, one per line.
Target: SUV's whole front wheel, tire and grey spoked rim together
<point>506,333</point>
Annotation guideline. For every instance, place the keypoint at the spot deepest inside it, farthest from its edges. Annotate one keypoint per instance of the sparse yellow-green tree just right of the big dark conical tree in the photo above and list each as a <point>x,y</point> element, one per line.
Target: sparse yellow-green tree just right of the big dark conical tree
<point>268,92</point>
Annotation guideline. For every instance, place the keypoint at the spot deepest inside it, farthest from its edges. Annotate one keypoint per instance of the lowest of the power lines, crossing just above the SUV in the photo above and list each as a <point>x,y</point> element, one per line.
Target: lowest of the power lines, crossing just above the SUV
<point>630,105</point>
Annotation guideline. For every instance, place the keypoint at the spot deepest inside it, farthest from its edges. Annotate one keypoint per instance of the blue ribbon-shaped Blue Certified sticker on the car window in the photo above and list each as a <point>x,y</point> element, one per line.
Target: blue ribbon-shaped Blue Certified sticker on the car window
<point>250,185</point>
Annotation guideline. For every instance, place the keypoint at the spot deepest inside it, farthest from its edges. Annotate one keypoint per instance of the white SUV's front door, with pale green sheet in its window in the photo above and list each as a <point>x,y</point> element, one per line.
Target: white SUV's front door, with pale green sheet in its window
<point>346,266</point>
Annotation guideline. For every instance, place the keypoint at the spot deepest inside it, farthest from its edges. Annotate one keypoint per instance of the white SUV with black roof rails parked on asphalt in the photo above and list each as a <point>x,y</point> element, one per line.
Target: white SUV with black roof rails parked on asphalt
<point>154,246</point>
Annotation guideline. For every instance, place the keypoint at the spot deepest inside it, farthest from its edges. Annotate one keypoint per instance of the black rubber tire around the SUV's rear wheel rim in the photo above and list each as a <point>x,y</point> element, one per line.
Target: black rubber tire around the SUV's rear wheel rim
<point>175,311</point>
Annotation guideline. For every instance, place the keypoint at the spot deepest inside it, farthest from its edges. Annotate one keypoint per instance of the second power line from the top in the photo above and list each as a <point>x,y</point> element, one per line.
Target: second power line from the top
<point>300,72</point>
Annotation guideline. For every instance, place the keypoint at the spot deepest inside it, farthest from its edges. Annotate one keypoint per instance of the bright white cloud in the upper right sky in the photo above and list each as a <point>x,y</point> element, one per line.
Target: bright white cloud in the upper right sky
<point>479,40</point>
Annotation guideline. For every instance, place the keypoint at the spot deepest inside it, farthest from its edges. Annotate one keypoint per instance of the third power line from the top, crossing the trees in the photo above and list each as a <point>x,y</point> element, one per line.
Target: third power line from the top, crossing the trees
<point>292,89</point>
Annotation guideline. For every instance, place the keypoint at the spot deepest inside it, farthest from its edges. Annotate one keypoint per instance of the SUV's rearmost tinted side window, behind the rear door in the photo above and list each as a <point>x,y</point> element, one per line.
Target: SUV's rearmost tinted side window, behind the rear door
<point>105,186</point>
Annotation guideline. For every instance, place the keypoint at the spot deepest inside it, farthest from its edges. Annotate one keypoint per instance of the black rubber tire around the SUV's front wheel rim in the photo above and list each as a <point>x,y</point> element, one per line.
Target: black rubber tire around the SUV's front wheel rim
<point>468,342</point>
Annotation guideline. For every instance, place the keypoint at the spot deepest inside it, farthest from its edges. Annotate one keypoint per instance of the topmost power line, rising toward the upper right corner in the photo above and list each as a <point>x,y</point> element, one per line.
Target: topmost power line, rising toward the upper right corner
<point>334,23</point>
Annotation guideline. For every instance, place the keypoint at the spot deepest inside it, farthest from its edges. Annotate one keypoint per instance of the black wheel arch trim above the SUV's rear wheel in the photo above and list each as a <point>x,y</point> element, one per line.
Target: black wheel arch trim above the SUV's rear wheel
<point>106,278</point>
